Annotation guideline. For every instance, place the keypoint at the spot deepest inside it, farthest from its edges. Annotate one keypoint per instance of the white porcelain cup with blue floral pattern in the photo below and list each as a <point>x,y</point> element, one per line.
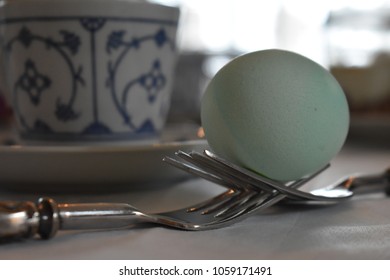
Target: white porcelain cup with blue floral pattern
<point>88,70</point>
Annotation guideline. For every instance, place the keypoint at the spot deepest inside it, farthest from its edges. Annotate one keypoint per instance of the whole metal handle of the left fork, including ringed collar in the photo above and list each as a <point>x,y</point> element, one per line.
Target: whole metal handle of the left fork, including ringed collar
<point>44,218</point>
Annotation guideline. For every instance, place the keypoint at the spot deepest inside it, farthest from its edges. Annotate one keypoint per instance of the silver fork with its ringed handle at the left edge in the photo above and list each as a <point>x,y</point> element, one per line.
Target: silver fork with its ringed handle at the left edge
<point>27,219</point>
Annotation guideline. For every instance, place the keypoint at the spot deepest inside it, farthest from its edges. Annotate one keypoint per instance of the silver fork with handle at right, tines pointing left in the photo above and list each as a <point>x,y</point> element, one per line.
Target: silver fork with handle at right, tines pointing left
<point>209,166</point>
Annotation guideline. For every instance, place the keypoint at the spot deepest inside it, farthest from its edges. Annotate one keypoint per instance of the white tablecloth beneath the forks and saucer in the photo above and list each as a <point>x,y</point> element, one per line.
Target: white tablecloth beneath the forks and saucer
<point>355,229</point>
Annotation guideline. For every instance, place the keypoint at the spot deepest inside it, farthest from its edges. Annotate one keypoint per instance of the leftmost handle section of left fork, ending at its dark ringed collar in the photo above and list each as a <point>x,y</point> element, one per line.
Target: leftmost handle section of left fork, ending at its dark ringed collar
<point>27,219</point>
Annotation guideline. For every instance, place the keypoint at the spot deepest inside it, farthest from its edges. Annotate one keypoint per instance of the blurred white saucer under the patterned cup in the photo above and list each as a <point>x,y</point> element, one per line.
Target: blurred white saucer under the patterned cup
<point>90,168</point>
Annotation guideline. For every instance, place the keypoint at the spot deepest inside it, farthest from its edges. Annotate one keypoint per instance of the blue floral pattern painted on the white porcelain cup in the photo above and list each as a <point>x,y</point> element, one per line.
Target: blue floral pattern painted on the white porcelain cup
<point>121,45</point>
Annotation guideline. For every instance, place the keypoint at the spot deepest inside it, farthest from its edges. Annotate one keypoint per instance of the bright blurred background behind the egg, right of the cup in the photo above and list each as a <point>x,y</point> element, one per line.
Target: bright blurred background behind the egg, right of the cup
<point>351,38</point>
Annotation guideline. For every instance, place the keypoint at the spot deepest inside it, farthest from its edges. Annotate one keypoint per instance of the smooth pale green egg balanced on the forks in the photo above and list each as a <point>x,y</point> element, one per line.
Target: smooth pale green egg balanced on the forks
<point>275,112</point>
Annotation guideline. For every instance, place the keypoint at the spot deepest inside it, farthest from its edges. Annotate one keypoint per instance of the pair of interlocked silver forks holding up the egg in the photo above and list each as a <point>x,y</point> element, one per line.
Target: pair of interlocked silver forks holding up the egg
<point>247,193</point>
